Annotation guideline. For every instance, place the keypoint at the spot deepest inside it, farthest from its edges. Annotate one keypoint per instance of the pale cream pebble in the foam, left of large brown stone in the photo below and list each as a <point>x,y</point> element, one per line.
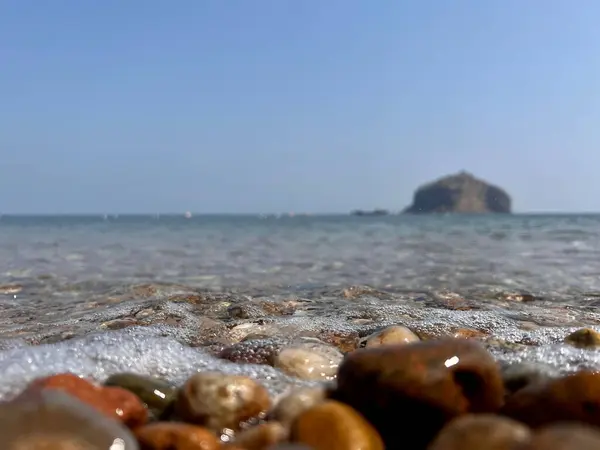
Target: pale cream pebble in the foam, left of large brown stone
<point>309,359</point>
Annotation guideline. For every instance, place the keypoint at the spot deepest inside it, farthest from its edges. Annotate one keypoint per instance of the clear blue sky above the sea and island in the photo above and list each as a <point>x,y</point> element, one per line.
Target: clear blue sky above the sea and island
<point>304,105</point>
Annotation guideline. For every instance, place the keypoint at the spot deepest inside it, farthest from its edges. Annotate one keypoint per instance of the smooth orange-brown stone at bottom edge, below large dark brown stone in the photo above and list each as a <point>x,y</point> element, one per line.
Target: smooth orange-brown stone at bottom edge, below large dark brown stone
<point>335,426</point>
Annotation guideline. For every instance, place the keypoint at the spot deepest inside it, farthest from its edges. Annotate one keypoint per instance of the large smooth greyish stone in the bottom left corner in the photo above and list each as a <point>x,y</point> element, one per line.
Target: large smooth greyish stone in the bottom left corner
<point>53,420</point>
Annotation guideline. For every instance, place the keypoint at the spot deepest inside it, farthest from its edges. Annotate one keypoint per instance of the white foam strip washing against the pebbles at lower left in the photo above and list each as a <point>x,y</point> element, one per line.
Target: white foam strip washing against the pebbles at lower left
<point>131,350</point>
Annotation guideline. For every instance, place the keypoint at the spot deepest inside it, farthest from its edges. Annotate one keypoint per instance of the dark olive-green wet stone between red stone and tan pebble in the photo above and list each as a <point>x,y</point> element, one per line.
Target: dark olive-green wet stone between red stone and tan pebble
<point>156,394</point>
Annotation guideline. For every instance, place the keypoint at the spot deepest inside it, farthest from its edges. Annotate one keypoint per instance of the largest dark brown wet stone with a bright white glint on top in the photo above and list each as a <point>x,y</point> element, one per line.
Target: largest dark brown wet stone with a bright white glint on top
<point>429,383</point>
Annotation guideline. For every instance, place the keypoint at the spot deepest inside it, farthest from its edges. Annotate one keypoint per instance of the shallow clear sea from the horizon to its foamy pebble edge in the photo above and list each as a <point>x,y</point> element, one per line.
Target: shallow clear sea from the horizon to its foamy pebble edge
<point>100,294</point>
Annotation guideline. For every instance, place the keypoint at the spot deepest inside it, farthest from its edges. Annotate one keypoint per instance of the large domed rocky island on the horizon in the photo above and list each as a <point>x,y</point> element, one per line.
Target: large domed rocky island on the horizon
<point>460,193</point>
